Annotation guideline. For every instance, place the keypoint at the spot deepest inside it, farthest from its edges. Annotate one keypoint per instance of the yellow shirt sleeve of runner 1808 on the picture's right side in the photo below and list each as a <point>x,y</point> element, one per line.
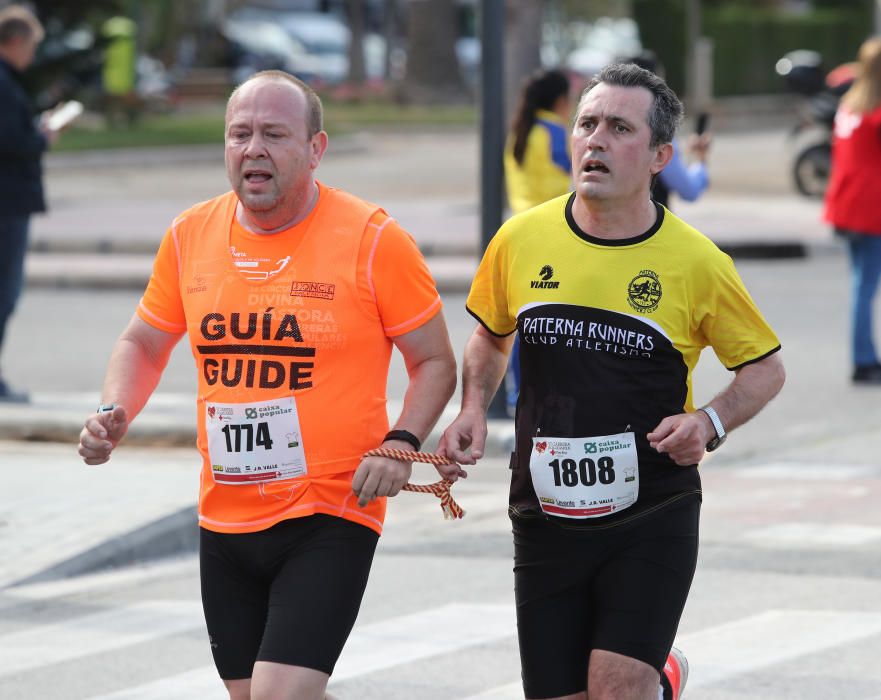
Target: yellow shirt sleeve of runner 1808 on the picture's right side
<point>729,319</point>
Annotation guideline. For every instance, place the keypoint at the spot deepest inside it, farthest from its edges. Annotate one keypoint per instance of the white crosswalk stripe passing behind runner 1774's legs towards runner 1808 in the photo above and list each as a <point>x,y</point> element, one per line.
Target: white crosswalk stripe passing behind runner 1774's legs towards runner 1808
<point>370,648</point>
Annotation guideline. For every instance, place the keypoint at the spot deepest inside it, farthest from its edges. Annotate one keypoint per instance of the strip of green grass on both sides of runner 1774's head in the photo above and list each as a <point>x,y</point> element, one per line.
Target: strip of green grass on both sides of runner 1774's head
<point>206,127</point>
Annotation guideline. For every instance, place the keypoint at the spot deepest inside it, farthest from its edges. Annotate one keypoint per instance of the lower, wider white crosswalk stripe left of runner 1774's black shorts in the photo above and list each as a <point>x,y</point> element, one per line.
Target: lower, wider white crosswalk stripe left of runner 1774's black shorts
<point>43,645</point>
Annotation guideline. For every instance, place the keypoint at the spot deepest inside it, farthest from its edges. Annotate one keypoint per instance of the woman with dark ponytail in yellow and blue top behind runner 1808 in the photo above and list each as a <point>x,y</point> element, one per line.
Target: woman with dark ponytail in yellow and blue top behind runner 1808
<point>537,161</point>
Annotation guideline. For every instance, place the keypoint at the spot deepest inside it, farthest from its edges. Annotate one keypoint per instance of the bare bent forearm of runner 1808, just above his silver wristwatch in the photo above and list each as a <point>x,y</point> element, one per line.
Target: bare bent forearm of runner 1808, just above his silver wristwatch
<point>753,387</point>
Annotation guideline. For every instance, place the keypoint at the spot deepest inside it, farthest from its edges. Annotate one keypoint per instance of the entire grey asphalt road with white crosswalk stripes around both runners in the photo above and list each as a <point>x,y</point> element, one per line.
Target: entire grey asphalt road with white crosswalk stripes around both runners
<point>784,605</point>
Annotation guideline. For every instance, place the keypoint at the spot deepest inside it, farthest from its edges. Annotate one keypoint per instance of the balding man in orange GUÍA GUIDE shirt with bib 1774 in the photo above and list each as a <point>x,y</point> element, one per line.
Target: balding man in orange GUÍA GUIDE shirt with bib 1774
<point>292,295</point>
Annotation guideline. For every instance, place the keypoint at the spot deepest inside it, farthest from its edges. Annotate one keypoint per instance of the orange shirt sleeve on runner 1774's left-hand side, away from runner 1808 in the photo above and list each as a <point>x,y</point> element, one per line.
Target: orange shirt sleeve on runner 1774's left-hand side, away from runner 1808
<point>162,306</point>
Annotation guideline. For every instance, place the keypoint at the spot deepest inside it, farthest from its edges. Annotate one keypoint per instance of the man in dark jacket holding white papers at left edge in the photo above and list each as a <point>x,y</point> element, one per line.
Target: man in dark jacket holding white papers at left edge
<point>22,143</point>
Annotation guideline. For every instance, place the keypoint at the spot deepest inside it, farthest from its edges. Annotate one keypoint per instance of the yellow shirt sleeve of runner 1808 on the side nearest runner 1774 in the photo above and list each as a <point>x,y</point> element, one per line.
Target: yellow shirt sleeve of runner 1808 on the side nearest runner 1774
<point>488,299</point>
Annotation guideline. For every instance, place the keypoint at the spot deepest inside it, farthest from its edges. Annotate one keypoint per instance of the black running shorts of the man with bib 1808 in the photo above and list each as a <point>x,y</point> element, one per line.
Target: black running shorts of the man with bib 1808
<point>620,589</point>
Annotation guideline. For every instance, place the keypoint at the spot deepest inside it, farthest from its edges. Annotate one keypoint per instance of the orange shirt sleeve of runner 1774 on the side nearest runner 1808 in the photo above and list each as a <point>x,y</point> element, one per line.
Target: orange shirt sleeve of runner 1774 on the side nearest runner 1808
<point>397,277</point>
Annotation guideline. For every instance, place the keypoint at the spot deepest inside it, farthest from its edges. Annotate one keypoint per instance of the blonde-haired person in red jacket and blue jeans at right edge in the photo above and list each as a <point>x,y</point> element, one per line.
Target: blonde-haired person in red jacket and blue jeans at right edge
<point>852,203</point>
